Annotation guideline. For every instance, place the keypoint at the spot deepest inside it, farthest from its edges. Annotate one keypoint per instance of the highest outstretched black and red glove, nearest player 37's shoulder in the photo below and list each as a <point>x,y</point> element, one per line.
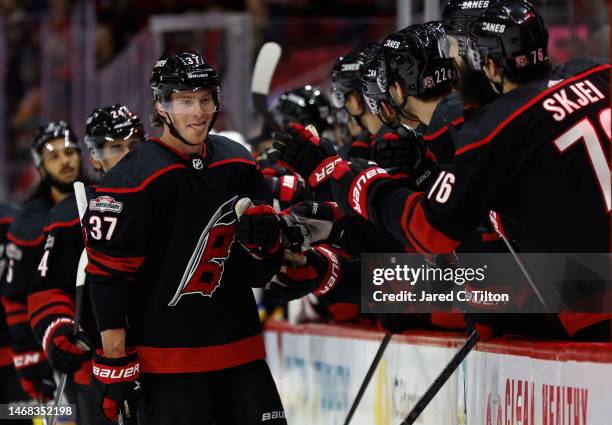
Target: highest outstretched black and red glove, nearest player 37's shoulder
<point>311,157</point>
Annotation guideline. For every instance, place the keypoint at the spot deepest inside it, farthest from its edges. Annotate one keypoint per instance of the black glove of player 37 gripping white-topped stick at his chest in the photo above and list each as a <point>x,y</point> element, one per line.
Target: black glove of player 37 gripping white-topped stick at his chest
<point>258,229</point>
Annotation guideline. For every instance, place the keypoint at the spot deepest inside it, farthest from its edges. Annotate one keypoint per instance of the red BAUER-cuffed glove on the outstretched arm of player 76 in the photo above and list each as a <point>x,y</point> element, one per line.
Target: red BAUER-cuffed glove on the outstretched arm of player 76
<point>355,184</point>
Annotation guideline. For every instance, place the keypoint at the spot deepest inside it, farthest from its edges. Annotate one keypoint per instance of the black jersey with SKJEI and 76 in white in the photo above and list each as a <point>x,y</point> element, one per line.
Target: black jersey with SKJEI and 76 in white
<point>539,156</point>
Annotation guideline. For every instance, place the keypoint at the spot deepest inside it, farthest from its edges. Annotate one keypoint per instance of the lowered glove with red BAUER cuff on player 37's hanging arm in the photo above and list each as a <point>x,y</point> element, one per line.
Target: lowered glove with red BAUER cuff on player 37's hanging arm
<point>116,381</point>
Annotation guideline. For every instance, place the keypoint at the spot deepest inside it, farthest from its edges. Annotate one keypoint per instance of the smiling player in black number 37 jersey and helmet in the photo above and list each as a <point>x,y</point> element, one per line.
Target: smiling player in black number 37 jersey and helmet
<point>170,289</point>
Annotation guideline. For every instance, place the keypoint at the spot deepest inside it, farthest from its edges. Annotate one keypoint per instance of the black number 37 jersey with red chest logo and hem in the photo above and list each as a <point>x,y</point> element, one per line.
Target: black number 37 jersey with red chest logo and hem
<point>163,262</point>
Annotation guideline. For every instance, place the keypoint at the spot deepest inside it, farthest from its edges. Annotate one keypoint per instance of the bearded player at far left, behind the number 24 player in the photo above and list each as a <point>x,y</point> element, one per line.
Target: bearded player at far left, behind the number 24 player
<point>56,154</point>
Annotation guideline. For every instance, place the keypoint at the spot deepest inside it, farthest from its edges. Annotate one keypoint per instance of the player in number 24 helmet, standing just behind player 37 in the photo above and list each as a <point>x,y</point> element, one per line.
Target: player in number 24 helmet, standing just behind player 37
<point>111,132</point>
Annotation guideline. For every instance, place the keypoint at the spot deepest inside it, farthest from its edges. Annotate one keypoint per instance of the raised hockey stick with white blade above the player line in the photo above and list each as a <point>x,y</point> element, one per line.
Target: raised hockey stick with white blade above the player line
<point>263,71</point>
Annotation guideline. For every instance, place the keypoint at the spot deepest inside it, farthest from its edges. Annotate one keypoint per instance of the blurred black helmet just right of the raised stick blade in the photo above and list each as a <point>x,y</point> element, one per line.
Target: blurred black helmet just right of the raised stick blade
<point>304,105</point>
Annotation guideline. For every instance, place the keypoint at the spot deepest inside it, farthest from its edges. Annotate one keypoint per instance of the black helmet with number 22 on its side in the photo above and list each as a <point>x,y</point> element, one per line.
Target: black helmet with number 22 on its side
<point>418,58</point>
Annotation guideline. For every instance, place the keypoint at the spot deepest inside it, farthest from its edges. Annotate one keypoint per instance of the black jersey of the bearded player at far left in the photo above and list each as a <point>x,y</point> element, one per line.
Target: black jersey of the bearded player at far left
<point>23,251</point>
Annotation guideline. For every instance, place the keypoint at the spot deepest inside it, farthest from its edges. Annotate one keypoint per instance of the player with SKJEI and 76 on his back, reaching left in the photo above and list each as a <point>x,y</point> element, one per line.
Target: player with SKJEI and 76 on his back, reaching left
<point>516,156</point>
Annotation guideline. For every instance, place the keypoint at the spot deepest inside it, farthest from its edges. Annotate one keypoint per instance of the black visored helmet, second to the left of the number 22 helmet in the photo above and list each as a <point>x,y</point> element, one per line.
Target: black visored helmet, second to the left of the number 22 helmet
<point>345,75</point>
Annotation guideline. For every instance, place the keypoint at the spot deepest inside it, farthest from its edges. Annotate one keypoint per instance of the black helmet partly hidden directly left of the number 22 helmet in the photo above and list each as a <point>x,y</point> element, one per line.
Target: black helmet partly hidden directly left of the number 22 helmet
<point>375,91</point>
